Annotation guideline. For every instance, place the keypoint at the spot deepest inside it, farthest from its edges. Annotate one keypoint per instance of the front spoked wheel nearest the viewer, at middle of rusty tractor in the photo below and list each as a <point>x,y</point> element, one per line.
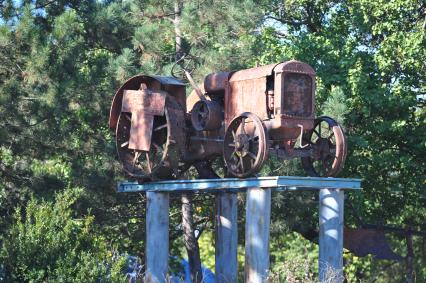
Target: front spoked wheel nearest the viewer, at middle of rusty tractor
<point>245,145</point>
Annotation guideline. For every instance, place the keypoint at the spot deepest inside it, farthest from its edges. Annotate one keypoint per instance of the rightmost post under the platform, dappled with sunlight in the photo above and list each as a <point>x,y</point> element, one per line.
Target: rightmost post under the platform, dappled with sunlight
<point>331,235</point>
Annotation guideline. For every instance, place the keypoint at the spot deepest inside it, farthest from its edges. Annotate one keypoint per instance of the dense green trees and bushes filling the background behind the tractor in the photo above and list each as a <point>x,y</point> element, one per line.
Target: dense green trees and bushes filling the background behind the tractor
<point>61,62</point>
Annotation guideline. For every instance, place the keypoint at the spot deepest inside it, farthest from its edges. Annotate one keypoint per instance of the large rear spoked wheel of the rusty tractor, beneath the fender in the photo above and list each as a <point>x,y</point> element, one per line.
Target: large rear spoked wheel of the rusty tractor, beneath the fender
<point>155,163</point>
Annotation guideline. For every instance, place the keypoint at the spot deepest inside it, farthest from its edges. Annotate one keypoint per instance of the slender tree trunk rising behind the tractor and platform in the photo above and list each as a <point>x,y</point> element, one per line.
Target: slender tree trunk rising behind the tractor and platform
<point>191,243</point>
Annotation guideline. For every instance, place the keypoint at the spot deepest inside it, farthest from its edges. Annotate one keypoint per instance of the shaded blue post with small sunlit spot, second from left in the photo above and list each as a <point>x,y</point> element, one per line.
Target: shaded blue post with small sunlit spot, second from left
<point>226,237</point>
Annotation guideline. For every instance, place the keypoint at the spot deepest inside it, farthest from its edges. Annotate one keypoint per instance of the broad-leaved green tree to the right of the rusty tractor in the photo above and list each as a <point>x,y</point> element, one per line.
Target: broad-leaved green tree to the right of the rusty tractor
<point>373,53</point>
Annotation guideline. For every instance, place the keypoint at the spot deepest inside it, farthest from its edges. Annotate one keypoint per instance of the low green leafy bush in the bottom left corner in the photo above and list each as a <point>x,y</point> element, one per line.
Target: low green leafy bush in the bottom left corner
<point>48,243</point>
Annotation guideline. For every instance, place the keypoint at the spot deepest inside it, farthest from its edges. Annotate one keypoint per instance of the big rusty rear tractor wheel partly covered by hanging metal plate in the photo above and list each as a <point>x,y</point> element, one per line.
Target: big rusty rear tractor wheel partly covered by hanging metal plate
<point>161,160</point>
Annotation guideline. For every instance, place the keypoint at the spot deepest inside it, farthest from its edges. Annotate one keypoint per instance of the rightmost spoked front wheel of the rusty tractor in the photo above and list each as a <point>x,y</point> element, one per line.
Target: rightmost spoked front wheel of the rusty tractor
<point>329,147</point>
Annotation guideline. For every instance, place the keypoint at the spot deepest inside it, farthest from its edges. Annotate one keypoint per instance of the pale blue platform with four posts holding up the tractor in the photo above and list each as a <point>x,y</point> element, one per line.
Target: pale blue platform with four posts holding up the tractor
<point>257,225</point>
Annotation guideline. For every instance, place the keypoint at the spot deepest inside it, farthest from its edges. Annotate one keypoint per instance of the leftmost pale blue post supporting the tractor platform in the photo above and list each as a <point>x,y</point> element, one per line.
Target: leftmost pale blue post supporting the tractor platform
<point>157,237</point>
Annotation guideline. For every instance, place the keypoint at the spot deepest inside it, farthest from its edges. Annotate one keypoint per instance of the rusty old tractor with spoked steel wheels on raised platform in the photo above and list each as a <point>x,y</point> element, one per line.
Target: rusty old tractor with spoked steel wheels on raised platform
<point>241,117</point>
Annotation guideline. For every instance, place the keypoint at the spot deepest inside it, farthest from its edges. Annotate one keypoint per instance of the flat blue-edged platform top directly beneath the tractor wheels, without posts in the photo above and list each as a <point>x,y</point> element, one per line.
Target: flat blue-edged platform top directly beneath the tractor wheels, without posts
<point>234,184</point>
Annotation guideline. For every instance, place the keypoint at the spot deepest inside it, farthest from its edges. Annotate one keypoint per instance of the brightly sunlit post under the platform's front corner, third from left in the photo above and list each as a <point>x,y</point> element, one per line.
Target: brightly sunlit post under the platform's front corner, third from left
<point>258,215</point>
